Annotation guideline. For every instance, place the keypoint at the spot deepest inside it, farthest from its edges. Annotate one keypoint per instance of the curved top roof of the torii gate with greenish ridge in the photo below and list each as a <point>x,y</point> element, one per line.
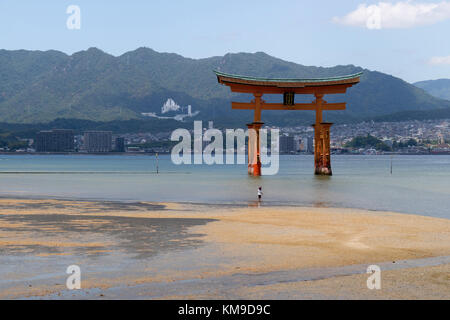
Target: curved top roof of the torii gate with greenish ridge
<point>230,79</point>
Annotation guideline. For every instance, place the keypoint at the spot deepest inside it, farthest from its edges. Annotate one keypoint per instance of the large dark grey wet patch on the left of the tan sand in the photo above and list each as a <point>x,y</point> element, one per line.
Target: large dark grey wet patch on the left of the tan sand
<point>141,237</point>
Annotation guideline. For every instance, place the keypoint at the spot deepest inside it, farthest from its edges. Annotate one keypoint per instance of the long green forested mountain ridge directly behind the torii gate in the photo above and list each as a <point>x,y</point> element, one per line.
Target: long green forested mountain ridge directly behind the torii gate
<point>37,87</point>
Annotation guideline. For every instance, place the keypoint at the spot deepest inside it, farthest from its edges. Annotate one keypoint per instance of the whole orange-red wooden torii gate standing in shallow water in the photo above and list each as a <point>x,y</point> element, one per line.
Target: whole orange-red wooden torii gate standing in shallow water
<point>289,88</point>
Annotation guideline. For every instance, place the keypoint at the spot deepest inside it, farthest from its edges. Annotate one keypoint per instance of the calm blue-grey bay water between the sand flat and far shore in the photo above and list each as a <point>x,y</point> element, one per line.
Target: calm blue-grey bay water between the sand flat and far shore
<point>419,184</point>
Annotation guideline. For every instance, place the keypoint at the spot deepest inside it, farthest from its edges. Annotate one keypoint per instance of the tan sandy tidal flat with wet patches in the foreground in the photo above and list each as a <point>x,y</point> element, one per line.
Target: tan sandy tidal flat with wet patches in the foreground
<point>172,251</point>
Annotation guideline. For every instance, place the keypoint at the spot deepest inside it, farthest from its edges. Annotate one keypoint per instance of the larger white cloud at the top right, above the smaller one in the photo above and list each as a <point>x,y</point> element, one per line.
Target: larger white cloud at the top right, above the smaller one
<point>405,14</point>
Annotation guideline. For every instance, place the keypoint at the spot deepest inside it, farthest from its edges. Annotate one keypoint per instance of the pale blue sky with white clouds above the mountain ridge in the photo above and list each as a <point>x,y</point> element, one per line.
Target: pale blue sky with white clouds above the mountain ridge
<point>408,39</point>
